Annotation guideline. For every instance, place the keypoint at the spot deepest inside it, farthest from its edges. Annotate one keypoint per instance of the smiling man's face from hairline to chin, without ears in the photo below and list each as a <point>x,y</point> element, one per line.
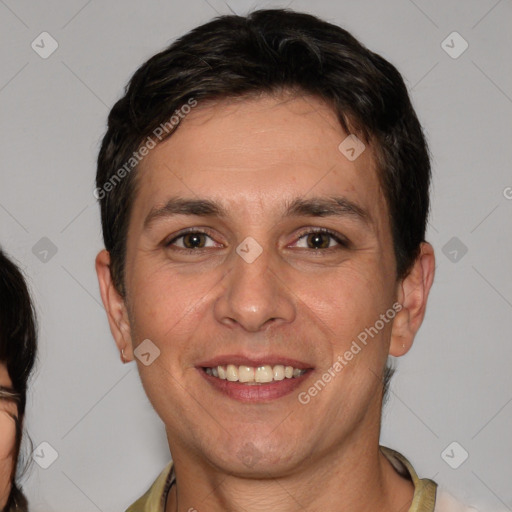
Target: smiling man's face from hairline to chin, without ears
<point>301,302</point>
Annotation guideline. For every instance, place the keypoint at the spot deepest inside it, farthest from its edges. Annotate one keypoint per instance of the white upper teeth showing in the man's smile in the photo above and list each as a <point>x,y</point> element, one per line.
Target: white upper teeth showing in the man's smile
<point>264,373</point>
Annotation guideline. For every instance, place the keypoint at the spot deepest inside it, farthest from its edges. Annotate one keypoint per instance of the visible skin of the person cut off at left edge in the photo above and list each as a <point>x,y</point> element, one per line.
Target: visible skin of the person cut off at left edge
<point>7,439</point>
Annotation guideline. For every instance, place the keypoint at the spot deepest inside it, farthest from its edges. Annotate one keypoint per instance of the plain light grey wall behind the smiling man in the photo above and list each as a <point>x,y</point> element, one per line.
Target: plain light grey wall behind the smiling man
<point>455,384</point>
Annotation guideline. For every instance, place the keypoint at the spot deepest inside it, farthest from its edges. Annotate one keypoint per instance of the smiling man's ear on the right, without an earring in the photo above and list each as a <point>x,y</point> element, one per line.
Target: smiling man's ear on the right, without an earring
<point>413,293</point>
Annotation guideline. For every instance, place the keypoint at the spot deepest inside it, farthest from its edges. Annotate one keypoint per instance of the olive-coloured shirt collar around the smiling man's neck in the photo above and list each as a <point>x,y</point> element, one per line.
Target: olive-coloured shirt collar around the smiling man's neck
<point>424,499</point>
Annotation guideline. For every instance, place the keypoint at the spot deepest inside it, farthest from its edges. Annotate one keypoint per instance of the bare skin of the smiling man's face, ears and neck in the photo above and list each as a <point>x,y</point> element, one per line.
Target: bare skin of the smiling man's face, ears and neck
<point>252,156</point>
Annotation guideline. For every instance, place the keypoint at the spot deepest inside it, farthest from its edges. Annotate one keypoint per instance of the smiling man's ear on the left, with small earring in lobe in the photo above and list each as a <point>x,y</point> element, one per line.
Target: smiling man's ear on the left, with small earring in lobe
<point>114,306</point>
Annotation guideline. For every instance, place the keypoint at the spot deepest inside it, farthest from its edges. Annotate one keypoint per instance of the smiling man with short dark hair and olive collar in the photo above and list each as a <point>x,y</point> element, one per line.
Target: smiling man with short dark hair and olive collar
<point>264,192</point>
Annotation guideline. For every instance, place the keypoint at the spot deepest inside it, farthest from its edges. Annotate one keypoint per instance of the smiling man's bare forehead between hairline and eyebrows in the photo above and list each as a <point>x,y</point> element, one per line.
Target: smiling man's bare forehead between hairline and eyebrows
<point>258,152</point>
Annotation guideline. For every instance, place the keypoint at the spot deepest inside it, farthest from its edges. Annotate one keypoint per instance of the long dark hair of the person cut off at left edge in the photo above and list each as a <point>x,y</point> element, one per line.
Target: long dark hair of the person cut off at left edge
<point>18,335</point>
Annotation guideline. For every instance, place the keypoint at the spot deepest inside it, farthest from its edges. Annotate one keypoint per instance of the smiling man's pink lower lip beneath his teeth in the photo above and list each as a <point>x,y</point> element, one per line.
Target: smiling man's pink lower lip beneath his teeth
<point>257,392</point>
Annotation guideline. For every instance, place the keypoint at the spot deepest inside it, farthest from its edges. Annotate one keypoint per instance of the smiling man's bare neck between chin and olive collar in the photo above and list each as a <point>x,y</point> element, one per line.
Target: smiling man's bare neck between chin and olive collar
<point>355,477</point>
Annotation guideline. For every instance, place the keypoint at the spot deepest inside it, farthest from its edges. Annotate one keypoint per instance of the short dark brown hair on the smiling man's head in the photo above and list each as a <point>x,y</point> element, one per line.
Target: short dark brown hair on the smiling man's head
<point>270,52</point>
